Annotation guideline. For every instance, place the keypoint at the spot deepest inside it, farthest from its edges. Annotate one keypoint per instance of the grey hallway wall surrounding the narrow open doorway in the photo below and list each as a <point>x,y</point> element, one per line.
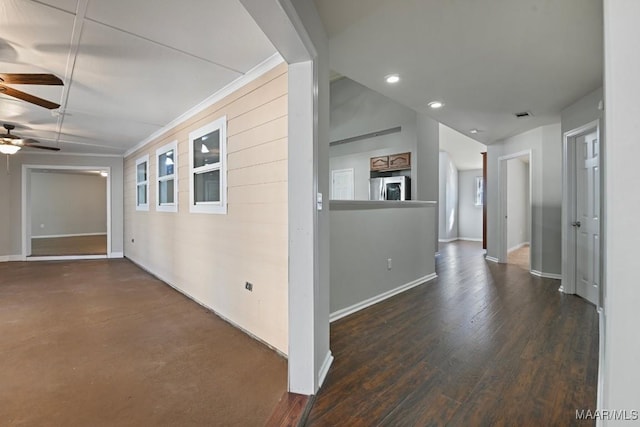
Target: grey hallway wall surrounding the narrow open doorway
<point>545,143</point>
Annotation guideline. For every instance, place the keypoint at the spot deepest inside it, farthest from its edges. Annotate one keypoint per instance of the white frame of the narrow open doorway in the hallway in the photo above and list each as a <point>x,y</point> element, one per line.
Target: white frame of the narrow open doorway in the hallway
<point>502,182</point>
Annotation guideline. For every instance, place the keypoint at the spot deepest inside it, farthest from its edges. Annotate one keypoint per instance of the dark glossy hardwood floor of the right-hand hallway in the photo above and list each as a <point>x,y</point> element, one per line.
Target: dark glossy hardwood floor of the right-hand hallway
<point>482,345</point>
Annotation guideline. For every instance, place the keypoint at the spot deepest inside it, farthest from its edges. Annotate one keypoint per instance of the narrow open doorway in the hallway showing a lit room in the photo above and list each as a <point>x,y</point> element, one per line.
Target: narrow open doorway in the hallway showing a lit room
<point>515,209</point>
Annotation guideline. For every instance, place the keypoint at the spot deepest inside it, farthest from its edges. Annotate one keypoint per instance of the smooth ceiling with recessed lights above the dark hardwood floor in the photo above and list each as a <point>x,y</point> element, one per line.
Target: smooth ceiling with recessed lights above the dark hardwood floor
<point>486,59</point>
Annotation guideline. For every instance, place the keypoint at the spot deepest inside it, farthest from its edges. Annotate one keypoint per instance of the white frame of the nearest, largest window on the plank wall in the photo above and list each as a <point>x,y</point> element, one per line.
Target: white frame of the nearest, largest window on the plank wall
<point>219,207</point>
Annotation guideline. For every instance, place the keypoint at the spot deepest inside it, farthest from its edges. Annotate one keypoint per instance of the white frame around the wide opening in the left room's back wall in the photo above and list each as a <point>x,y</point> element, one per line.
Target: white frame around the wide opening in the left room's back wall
<point>26,211</point>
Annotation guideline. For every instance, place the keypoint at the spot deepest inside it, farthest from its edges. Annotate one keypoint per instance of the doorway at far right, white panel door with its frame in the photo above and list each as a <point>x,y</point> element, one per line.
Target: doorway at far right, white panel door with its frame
<point>581,227</point>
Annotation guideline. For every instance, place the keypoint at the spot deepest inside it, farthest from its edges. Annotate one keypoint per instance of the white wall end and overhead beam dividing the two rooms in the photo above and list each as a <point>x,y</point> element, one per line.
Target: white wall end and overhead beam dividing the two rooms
<point>295,29</point>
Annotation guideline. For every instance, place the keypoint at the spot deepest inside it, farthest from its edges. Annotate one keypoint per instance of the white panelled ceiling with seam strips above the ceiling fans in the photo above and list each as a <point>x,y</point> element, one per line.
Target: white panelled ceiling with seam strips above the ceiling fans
<point>129,67</point>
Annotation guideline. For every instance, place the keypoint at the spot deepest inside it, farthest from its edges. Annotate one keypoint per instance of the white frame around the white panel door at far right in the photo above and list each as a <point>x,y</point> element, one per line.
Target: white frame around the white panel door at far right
<point>568,281</point>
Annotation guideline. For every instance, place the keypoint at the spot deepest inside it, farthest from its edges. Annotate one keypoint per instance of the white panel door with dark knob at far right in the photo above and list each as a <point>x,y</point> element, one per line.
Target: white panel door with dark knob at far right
<point>587,224</point>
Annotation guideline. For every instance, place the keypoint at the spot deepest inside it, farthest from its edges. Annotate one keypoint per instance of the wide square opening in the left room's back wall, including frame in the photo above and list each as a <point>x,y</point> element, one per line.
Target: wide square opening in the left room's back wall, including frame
<point>66,212</point>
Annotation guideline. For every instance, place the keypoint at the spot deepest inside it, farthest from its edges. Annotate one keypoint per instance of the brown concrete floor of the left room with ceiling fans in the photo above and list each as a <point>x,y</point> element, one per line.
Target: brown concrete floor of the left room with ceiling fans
<point>104,343</point>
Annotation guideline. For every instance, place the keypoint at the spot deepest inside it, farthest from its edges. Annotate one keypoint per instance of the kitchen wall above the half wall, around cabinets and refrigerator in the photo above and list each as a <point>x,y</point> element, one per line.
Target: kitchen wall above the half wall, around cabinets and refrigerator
<point>357,110</point>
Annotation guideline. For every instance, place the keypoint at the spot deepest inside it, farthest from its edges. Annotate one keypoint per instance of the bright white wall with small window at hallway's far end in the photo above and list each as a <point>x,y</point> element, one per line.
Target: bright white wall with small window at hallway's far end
<point>469,215</point>
